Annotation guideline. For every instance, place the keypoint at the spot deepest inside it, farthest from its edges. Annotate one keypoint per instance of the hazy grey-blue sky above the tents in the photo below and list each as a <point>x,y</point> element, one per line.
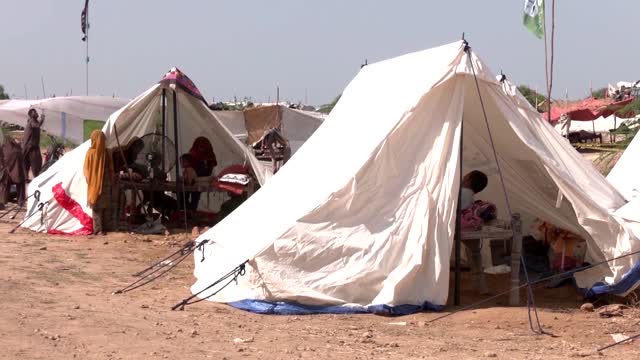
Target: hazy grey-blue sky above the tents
<point>312,48</point>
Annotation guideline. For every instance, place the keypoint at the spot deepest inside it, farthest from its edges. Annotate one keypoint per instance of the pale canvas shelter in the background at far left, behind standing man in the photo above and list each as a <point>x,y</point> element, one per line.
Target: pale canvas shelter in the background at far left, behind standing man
<point>66,117</point>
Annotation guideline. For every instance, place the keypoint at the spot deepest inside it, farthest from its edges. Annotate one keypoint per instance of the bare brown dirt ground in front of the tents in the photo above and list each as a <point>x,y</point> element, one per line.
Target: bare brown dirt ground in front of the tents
<point>56,302</point>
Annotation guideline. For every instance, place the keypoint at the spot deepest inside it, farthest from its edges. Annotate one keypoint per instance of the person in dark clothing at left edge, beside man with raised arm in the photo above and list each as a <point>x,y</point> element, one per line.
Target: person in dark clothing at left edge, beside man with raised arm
<point>12,170</point>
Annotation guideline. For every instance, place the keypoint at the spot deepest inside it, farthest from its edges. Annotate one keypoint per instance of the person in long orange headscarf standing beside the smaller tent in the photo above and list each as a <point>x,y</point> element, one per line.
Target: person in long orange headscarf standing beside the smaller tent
<point>98,170</point>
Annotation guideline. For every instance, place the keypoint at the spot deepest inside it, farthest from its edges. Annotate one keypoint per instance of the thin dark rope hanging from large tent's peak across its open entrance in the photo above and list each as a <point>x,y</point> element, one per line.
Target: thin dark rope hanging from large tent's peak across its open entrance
<point>530,298</point>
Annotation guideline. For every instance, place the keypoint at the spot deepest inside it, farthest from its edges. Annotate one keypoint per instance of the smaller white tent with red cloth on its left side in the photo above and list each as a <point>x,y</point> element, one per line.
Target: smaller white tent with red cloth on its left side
<point>63,187</point>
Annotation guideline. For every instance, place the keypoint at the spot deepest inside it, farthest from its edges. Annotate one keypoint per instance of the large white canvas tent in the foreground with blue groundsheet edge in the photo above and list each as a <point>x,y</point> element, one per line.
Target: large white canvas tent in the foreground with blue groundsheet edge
<point>364,220</point>
